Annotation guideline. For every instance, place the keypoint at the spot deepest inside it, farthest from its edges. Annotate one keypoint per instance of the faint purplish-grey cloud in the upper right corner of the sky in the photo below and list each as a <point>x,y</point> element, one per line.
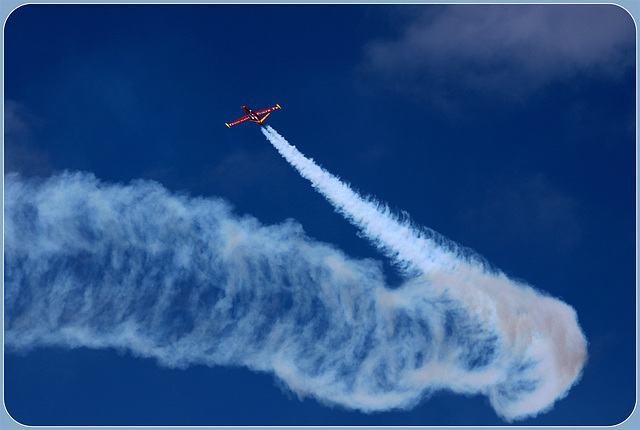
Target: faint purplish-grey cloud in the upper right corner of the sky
<point>505,50</point>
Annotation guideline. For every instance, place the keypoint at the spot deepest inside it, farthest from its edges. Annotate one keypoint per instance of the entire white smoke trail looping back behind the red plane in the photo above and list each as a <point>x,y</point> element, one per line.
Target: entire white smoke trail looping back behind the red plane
<point>186,281</point>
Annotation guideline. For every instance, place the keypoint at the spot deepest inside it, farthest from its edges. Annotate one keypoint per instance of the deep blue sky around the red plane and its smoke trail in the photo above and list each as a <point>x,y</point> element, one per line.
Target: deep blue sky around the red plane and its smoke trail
<point>508,129</point>
